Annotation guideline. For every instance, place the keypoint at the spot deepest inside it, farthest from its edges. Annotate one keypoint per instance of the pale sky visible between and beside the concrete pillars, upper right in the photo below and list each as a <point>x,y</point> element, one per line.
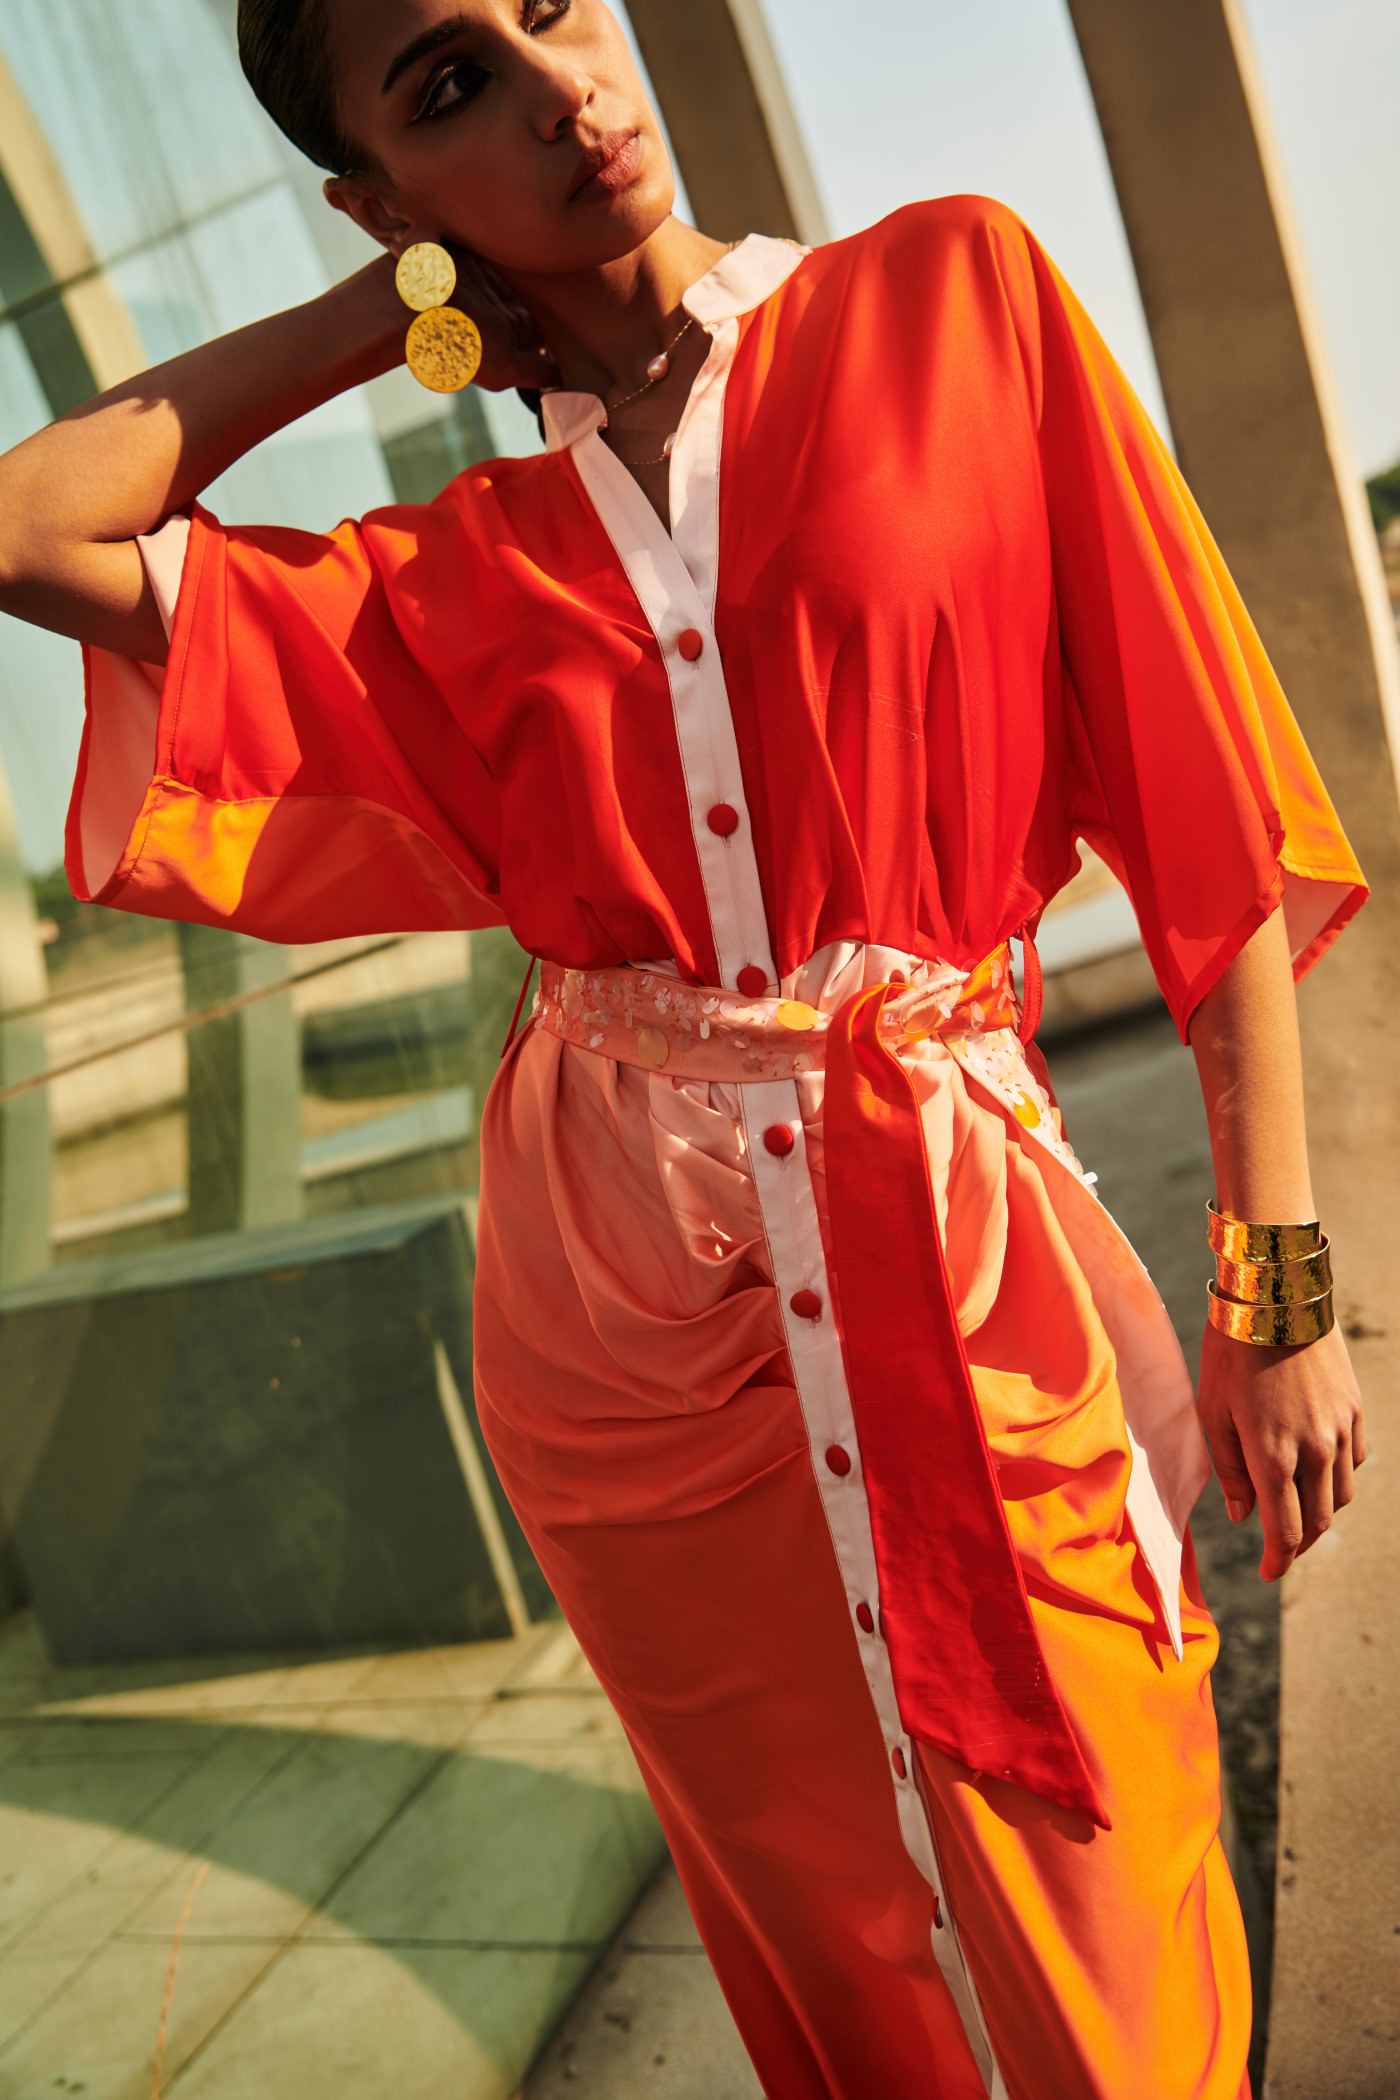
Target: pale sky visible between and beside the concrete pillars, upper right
<point>910,100</point>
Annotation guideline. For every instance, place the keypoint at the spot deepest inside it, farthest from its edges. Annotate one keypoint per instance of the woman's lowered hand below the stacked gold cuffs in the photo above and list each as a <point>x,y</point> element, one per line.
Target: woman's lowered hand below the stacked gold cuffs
<point>1284,1425</point>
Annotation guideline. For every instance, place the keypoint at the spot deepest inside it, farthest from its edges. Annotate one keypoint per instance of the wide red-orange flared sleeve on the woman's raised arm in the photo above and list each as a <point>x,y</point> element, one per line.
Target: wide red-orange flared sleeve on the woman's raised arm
<point>299,768</point>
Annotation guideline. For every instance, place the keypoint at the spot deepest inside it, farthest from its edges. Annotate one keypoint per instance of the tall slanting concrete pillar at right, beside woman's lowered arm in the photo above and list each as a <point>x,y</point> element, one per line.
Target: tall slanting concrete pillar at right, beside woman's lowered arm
<point>1263,446</point>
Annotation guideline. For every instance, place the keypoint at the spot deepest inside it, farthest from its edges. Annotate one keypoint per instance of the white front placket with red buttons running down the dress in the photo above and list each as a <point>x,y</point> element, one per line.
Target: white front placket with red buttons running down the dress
<point>675,579</point>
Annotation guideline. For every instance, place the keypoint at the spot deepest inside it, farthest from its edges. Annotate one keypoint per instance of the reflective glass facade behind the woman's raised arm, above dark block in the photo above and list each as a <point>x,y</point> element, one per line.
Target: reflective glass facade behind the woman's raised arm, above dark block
<point>146,205</point>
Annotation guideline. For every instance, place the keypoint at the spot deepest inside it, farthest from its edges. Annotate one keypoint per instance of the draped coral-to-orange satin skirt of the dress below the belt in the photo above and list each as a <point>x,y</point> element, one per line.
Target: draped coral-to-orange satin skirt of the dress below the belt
<point>652,1442</point>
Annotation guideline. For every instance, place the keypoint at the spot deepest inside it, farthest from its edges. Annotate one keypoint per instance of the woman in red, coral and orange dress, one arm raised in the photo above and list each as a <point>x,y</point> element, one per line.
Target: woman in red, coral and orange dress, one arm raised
<point>767,707</point>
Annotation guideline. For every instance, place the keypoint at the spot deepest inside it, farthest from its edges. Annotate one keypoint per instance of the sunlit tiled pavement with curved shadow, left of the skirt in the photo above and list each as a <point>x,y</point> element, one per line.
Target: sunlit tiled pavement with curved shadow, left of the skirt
<point>375,1874</point>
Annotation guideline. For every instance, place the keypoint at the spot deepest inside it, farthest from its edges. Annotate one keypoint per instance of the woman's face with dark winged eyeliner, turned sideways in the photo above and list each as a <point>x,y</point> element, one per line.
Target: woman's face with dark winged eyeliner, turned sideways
<point>488,123</point>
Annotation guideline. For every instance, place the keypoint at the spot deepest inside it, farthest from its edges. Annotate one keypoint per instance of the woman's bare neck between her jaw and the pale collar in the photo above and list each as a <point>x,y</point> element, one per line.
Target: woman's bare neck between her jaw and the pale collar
<point>608,324</point>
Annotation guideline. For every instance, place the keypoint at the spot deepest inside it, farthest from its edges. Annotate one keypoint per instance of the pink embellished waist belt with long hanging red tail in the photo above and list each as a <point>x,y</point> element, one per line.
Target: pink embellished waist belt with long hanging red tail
<point>967,1662</point>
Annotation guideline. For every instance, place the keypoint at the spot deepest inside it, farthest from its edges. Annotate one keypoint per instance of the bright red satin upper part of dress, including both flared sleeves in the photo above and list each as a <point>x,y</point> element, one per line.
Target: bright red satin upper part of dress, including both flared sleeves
<point>969,614</point>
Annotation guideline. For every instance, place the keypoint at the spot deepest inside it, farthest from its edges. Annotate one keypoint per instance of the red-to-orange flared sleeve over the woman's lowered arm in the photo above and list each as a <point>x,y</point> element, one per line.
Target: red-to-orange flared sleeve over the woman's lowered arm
<point>1191,774</point>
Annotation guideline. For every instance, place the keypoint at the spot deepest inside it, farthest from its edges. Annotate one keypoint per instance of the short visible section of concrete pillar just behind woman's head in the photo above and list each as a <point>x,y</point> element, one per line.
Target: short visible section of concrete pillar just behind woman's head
<point>734,127</point>
